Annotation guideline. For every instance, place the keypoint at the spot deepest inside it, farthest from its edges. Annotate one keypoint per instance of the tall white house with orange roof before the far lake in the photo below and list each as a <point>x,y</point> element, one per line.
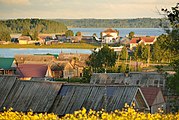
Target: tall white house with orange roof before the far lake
<point>110,36</point>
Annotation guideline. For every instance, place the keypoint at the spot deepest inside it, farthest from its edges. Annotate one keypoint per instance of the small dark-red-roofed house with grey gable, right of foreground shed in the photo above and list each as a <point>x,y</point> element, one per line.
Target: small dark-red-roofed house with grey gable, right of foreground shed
<point>154,98</point>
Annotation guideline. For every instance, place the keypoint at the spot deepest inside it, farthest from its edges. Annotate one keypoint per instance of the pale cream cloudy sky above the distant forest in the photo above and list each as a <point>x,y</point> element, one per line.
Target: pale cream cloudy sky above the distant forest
<point>79,9</point>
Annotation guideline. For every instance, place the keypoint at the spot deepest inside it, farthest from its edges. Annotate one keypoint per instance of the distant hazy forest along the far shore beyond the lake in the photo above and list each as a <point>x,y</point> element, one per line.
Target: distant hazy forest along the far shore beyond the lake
<point>112,23</point>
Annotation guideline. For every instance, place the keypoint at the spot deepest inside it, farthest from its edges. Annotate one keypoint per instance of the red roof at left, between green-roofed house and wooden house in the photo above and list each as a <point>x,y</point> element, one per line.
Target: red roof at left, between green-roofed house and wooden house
<point>32,70</point>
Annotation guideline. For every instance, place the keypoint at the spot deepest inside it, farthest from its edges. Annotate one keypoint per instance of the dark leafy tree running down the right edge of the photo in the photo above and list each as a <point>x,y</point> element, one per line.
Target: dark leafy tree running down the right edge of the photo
<point>172,82</point>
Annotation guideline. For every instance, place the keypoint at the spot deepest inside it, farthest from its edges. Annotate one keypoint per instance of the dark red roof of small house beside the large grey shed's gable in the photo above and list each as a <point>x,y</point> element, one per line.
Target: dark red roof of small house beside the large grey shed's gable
<point>150,94</point>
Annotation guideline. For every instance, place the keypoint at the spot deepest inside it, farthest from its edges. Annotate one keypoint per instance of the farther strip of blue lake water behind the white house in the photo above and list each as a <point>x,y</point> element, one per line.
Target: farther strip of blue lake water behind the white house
<point>122,31</point>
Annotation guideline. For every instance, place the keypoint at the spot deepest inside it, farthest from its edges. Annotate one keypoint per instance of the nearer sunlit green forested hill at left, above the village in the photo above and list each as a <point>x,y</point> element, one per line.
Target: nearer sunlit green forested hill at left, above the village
<point>40,25</point>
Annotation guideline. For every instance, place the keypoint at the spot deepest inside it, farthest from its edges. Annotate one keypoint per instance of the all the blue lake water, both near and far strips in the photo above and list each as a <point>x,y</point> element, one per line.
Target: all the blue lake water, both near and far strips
<point>86,32</point>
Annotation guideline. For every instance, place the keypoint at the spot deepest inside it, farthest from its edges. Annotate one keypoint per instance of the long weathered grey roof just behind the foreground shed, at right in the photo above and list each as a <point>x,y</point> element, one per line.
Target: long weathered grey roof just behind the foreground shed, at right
<point>132,78</point>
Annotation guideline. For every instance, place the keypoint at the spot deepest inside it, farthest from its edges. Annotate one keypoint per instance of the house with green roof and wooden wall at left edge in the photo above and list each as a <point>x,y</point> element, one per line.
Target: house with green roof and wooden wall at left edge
<point>7,66</point>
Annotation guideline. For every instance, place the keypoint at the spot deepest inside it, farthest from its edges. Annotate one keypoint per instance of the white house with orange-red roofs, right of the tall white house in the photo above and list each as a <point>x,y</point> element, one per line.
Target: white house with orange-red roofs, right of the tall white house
<point>148,40</point>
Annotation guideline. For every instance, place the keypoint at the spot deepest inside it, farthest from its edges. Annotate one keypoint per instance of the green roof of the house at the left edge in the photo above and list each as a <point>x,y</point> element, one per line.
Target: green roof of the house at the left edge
<point>6,63</point>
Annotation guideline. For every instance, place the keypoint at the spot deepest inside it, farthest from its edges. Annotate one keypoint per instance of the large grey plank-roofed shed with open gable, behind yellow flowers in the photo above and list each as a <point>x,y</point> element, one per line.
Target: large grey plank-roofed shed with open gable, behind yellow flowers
<point>73,97</point>
